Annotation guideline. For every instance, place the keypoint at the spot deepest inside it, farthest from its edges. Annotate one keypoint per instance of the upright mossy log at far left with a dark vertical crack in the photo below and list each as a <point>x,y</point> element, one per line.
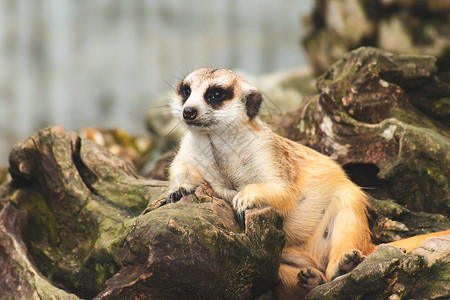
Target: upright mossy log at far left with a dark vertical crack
<point>80,202</point>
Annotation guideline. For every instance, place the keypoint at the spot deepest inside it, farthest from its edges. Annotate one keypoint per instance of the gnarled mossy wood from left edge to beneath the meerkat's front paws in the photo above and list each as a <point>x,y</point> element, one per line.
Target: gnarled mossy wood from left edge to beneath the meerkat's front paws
<point>71,206</point>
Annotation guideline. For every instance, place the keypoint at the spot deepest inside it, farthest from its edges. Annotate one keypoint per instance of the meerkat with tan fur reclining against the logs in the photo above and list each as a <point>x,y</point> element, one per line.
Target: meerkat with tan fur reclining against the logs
<point>247,164</point>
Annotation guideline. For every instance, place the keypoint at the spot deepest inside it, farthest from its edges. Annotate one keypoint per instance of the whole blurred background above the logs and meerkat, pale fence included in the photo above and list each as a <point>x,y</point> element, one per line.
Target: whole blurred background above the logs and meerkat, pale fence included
<point>105,63</point>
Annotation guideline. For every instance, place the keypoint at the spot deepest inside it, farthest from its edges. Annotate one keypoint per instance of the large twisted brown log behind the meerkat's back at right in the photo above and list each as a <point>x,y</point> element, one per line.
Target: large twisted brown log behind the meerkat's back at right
<point>363,117</point>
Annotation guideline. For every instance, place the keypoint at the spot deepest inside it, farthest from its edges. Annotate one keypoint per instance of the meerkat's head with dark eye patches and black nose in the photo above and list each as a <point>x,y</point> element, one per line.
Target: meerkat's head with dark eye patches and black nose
<point>209,99</point>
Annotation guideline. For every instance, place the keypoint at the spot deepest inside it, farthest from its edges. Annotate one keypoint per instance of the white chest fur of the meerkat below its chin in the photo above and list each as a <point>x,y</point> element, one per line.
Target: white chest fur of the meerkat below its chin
<point>228,160</point>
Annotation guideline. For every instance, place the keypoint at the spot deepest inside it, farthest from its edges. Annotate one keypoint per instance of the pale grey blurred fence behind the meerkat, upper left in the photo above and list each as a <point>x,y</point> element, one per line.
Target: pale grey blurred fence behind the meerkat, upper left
<point>99,63</point>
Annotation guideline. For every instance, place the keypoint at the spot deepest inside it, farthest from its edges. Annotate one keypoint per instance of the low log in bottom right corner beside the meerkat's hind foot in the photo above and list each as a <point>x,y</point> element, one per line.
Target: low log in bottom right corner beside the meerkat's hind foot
<point>388,273</point>
